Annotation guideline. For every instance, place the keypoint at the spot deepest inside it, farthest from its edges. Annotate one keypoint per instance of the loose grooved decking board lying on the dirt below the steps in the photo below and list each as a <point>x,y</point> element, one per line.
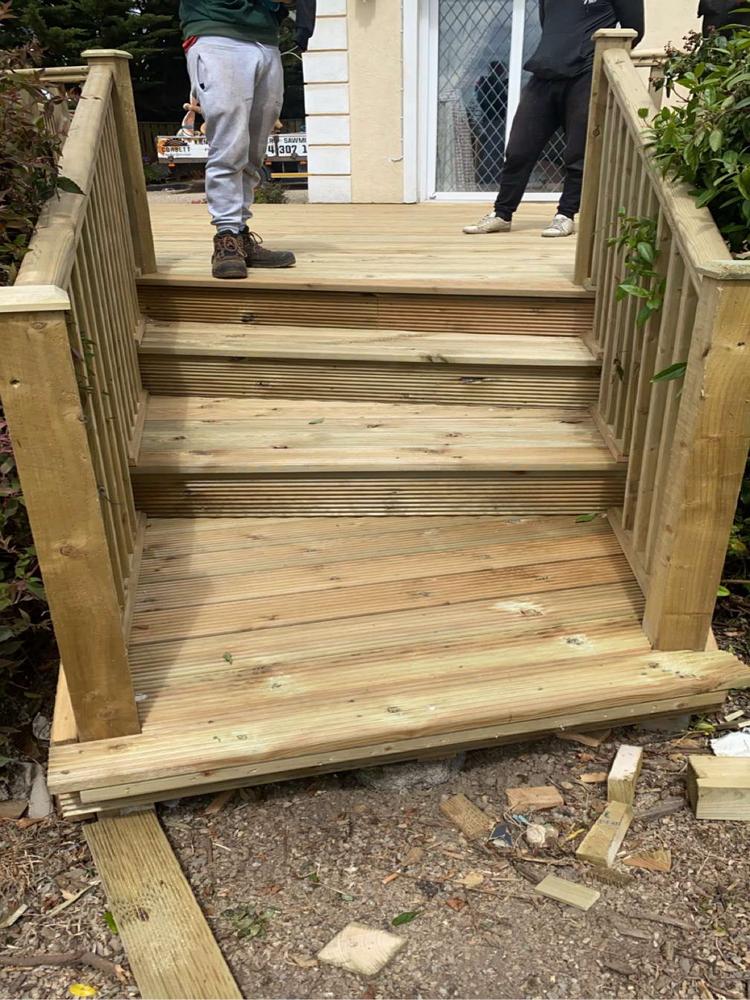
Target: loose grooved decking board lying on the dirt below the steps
<point>169,945</point>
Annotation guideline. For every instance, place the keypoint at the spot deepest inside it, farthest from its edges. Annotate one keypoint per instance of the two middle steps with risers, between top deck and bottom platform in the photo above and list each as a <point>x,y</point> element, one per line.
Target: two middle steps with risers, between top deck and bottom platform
<point>255,420</point>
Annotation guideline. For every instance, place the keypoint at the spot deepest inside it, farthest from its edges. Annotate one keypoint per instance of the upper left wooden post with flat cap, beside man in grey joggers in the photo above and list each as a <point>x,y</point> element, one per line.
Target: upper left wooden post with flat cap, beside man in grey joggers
<point>130,154</point>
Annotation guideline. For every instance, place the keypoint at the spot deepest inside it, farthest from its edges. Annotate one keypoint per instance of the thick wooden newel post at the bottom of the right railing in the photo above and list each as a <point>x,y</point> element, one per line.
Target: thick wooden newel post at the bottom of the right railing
<point>706,464</point>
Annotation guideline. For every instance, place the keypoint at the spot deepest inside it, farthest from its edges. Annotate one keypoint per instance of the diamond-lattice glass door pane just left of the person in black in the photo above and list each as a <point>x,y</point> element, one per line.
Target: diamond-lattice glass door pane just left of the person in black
<point>473,59</point>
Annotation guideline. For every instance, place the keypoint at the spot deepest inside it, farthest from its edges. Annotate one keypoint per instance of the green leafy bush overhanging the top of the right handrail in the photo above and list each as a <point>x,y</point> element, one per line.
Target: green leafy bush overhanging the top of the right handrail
<point>704,139</point>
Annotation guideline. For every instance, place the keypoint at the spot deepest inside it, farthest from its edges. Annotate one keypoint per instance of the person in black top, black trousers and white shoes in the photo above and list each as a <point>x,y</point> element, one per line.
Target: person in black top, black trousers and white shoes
<point>557,96</point>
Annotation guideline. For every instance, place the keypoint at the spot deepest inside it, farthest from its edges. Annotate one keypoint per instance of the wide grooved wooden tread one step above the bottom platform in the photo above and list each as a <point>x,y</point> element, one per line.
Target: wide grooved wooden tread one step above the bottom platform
<point>197,435</point>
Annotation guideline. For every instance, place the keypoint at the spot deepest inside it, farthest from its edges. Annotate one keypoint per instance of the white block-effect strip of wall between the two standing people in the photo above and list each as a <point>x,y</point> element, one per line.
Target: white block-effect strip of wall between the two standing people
<point>327,106</point>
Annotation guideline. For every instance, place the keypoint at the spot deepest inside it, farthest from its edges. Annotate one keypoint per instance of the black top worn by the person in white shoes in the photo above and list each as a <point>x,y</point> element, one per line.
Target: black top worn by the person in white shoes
<point>566,48</point>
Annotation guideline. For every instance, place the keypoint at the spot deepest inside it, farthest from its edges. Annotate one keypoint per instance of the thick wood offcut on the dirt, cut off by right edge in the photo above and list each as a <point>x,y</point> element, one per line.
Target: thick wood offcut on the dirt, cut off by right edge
<point>719,787</point>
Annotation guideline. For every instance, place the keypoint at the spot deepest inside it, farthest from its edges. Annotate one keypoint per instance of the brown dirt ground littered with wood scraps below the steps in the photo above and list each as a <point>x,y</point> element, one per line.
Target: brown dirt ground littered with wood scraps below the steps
<point>279,870</point>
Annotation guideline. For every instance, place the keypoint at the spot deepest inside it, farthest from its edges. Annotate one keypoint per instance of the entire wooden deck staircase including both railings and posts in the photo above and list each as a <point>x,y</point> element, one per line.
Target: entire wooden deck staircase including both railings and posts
<point>202,461</point>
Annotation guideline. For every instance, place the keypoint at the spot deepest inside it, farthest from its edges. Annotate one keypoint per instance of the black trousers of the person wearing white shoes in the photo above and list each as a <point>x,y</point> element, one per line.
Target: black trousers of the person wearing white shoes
<point>545,106</point>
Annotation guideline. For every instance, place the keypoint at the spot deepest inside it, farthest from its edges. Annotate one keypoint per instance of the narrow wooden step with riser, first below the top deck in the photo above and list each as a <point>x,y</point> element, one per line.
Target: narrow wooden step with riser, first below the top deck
<point>296,362</point>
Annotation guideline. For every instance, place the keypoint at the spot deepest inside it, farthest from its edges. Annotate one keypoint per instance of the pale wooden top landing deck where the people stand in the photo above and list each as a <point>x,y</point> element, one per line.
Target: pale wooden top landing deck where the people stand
<point>377,248</point>
